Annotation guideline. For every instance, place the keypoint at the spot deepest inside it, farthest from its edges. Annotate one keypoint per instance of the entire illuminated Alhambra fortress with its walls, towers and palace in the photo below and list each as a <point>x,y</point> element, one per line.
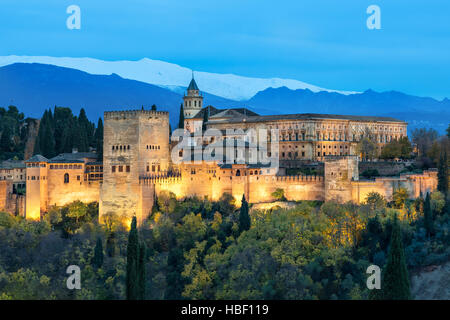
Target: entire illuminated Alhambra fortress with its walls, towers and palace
<point>138,162</point>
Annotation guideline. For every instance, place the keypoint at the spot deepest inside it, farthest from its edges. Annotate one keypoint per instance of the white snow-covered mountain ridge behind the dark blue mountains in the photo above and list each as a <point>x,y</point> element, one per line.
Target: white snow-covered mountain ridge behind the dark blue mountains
<point>171,76</point>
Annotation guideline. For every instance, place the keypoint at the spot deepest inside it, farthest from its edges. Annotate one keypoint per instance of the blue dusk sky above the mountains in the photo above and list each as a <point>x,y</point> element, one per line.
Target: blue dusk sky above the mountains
<point>322,42</point>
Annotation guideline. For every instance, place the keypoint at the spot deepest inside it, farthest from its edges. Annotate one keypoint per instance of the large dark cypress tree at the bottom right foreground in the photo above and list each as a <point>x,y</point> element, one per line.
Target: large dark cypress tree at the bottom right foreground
<point>395,284</point>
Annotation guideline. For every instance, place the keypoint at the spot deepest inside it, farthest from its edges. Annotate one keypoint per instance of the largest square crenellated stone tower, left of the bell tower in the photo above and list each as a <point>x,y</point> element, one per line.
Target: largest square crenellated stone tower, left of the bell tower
<point>135,144</point>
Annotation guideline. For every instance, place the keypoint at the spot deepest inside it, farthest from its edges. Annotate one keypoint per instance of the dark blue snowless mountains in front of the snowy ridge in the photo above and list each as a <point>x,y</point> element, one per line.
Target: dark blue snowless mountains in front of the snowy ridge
<point>34,87</point>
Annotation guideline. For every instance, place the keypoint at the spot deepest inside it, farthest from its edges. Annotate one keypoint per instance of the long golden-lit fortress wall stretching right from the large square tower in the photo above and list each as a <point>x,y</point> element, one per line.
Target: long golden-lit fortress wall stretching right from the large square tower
<point>340,183</point>
